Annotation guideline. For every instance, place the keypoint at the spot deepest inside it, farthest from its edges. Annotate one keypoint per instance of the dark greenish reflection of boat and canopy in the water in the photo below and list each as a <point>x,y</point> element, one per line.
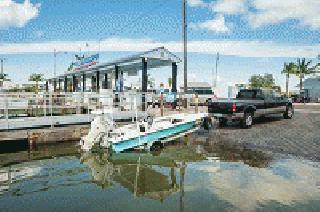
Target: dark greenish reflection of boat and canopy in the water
<point>145,175</point>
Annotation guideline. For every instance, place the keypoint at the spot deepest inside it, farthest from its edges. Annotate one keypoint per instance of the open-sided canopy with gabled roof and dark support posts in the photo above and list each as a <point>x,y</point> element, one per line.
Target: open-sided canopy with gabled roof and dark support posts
<point>100,73</point>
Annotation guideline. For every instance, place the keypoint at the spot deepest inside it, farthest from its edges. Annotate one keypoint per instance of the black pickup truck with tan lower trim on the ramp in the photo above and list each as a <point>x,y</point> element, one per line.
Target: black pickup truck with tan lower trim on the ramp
<point>249,104</point>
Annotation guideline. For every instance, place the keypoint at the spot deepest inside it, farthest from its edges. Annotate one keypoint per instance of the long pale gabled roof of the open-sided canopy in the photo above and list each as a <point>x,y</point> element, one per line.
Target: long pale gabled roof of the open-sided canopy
<point>158,57</point>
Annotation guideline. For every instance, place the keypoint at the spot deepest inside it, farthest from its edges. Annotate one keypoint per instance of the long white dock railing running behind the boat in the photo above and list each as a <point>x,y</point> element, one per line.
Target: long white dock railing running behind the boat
<point>28,110</point>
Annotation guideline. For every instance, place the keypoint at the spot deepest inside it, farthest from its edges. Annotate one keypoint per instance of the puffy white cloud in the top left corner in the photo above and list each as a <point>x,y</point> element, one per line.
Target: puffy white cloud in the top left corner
<point>14,14</point>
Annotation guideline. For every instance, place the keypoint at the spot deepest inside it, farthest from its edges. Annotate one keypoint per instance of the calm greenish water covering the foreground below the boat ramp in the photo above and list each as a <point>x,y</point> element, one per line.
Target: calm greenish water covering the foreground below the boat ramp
<point>186,177</point>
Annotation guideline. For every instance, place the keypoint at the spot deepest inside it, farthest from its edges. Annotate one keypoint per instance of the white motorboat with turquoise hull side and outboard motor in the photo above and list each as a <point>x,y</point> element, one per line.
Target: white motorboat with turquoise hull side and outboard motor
<point>143,133</point>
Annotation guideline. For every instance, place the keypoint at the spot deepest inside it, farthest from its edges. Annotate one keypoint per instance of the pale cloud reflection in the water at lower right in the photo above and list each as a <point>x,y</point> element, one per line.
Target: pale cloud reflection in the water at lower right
<point>286,182</point>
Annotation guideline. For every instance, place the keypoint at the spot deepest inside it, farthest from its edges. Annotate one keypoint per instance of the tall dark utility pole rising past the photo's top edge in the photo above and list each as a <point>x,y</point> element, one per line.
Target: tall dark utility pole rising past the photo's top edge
<point>185,60</point>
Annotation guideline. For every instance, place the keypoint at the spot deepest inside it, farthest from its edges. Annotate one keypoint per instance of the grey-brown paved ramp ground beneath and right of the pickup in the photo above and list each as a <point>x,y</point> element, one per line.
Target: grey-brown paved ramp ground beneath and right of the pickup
<point>299,136</point>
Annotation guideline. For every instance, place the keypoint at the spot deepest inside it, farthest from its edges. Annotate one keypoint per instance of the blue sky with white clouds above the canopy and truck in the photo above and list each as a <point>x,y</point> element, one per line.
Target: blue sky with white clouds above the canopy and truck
<point>252,36</point>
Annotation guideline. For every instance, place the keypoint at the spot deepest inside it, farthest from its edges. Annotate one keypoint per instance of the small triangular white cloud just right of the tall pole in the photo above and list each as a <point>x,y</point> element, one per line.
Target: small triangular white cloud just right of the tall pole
<point>216,25</point>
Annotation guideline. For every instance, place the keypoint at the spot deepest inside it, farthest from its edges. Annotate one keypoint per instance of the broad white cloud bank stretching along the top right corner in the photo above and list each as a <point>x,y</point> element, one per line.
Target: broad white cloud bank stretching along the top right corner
<point>266,12</point>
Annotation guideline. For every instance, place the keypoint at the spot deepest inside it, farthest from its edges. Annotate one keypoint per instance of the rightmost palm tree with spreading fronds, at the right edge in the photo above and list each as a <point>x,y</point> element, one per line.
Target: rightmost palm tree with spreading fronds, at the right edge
<point>305,68</point>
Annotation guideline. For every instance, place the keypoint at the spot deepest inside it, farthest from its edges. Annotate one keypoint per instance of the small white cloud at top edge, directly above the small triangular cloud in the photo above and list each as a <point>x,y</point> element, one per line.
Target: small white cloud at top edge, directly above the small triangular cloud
<point>229,7</point>
